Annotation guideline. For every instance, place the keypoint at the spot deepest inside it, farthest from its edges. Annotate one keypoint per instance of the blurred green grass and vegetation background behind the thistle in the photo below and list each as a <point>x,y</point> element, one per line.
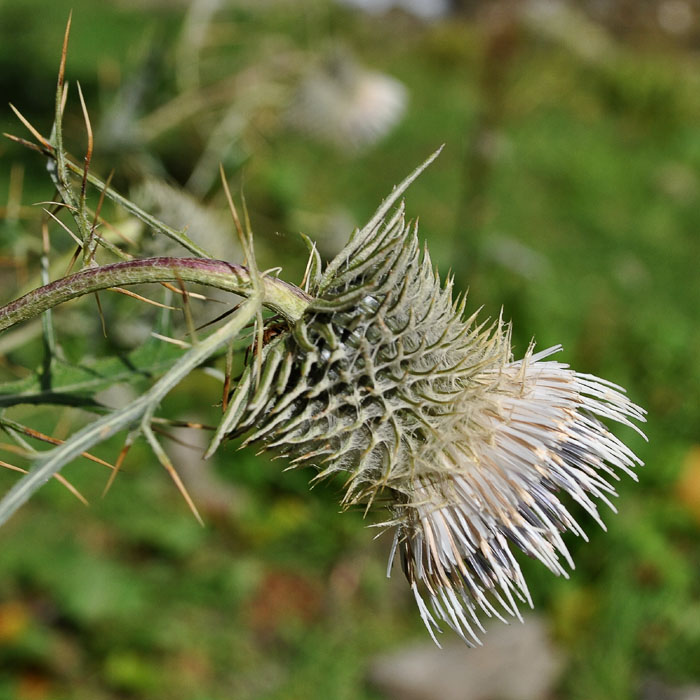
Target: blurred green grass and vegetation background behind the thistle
<point>568,194</point>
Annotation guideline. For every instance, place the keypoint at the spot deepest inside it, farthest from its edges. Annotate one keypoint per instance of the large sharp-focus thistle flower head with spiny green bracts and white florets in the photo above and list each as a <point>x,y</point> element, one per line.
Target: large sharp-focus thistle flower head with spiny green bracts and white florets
<point>473,452</point>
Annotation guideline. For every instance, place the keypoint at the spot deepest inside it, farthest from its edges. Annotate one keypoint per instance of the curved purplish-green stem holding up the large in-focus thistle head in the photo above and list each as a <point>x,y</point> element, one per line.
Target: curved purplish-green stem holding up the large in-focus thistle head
<point>278,295</point>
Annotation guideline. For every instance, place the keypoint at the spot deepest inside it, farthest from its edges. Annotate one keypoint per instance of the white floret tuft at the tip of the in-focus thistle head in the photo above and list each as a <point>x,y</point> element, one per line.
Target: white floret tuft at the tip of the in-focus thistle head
<point>540,438</point>
